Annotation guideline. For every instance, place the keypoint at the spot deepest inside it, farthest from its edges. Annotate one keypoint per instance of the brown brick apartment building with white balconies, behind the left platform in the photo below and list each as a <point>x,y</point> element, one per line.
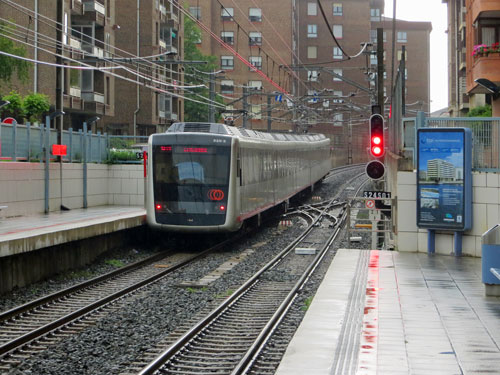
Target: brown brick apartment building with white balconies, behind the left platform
<point>100,33</point>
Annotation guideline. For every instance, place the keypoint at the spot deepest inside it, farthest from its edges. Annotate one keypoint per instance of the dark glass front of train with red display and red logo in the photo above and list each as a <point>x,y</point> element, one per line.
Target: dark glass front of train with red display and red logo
<point>191,179</point>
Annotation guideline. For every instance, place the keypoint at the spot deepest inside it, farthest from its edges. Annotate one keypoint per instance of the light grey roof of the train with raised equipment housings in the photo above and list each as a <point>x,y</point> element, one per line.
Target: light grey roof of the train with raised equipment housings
<point>207,127</point>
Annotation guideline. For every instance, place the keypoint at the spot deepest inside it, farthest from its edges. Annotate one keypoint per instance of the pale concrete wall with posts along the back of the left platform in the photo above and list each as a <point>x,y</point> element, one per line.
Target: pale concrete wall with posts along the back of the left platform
<point>22,186</point>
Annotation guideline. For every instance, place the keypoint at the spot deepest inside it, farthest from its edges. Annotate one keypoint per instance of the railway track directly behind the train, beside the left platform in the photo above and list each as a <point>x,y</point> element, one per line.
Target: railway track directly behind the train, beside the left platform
<point>31,328</point>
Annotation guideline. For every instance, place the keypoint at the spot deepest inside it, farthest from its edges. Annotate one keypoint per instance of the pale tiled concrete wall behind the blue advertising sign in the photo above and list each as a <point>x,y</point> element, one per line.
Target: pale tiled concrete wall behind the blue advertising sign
<point>485,211</point>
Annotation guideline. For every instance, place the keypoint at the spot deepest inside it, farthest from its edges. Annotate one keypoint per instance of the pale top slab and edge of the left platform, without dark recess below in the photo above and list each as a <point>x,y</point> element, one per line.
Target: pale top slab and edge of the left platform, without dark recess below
<point>28,233</point>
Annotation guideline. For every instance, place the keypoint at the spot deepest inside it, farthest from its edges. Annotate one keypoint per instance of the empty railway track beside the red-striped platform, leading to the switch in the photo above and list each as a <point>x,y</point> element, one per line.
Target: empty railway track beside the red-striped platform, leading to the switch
<point>230,338</point>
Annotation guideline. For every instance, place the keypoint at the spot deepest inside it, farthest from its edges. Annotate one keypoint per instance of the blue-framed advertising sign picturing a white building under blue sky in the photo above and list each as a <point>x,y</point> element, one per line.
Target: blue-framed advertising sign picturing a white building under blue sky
<point>444,178</point>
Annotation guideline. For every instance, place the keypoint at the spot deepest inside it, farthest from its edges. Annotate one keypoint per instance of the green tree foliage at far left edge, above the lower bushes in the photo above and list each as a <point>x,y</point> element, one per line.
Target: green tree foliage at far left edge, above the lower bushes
<point>9,65</point>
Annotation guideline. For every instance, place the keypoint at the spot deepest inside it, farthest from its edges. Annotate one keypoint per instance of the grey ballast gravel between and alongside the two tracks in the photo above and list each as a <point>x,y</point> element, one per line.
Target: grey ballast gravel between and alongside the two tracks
<point>117,340</point>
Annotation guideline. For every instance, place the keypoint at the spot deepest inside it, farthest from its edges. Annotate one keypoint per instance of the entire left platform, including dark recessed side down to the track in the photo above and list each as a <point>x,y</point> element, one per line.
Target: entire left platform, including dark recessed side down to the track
<point>33,248</point>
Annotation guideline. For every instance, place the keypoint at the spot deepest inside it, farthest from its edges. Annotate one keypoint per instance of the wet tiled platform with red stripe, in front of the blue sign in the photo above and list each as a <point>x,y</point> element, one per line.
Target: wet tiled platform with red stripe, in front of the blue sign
<point>388,312</point>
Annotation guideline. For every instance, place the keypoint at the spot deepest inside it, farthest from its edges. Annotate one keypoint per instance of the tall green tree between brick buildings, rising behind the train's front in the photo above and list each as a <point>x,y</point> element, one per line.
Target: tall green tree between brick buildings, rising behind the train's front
<point>196,111</point>
